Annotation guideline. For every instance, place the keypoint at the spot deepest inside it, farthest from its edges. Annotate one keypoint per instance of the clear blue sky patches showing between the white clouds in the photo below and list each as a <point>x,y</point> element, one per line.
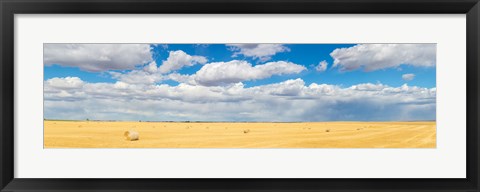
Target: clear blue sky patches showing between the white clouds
<point>308,55</point>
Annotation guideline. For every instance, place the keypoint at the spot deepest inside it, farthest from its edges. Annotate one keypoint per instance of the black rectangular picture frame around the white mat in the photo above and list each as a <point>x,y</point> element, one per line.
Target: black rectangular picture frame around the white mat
<point>11,7</point>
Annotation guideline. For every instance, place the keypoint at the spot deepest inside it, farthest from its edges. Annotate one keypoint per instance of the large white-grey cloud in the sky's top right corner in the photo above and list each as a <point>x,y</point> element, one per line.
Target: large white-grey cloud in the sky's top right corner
<point>371,57</point>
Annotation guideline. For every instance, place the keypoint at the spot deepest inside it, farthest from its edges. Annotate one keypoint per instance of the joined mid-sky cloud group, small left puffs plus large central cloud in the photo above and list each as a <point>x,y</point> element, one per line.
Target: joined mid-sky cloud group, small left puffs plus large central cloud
<point>211,74</point>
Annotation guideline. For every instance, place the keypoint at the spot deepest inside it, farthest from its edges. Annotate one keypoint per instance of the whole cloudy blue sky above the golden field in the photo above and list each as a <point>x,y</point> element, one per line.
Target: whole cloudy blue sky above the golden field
<point>355,82</point>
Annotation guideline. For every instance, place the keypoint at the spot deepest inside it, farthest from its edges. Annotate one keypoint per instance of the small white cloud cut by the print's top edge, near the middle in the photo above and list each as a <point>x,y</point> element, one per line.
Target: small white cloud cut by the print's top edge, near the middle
<point>263,52</point>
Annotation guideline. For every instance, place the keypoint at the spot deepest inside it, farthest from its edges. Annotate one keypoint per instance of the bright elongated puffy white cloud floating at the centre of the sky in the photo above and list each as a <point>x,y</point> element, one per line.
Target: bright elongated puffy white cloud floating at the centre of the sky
<point>220,73</point>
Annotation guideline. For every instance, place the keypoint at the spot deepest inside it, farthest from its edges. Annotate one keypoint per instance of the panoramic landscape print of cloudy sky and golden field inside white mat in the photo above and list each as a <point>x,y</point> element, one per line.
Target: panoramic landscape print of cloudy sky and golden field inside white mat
<point>239,95</point>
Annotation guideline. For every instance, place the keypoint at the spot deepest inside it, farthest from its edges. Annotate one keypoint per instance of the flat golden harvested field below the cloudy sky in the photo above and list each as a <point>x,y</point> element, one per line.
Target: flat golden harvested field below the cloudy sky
<point>98,134</point>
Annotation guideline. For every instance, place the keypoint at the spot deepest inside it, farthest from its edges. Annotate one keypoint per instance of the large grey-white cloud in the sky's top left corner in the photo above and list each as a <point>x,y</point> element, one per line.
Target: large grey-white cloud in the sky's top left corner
<point>97,57</point>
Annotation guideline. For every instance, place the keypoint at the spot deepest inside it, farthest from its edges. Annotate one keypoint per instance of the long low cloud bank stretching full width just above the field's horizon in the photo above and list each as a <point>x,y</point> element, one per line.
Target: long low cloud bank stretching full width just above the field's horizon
<point>290,100</point>
